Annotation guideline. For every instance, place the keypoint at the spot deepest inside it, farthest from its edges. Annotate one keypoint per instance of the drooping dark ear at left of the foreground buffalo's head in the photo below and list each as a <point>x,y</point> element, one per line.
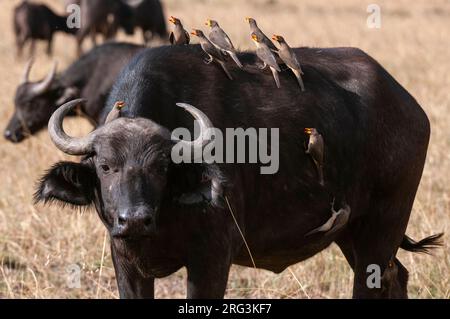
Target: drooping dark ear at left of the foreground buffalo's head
<point>67,182</point>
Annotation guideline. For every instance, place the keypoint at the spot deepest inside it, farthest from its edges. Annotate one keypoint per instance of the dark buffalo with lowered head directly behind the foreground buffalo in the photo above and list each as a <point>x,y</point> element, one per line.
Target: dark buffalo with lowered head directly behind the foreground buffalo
<point>91,77</point>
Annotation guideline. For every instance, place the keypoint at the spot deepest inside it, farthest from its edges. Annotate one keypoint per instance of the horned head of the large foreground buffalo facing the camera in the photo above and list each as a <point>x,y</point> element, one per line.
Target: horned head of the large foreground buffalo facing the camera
<point>126,171</point>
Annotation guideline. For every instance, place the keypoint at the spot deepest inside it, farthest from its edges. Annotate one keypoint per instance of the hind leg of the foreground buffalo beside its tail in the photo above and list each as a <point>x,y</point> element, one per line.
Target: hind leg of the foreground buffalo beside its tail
<point>378,274</point>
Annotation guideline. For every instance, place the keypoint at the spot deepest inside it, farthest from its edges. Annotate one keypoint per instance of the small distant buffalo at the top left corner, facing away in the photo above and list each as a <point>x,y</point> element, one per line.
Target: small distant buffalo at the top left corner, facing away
<point>37,22</point>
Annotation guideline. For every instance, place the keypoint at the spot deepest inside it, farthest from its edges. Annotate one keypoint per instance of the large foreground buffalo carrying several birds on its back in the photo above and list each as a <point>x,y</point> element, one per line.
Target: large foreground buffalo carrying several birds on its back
<point>162,216</point>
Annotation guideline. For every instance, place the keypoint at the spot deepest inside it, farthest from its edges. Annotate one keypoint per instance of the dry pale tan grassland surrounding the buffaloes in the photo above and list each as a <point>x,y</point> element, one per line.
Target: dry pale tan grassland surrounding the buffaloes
<point>39,244</point>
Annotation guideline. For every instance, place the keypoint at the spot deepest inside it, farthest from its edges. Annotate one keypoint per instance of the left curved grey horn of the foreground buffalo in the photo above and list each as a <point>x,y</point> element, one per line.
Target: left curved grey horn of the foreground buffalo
<point>67,144</point>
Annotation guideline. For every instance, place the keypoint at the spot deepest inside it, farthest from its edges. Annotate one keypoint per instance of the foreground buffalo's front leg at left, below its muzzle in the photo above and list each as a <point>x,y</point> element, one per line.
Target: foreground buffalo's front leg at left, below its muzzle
<point>131,284</point>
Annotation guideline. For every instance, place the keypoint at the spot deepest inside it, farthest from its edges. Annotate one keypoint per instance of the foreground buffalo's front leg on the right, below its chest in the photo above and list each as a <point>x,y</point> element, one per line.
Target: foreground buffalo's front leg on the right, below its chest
<point>208,276</point>
